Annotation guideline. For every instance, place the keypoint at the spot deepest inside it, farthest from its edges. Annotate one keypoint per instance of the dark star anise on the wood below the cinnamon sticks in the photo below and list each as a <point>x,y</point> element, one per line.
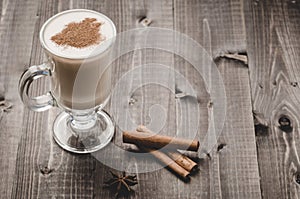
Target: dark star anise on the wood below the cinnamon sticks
<point>121,184</point>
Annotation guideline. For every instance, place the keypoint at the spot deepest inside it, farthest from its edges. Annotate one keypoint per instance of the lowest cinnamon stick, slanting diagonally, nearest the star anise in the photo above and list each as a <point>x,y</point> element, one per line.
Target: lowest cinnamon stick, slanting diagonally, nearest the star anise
<point>168,162</point>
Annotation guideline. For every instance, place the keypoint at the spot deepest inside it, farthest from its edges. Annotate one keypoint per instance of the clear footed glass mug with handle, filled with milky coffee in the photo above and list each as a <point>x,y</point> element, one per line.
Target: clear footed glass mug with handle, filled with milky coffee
<point>80,84</point>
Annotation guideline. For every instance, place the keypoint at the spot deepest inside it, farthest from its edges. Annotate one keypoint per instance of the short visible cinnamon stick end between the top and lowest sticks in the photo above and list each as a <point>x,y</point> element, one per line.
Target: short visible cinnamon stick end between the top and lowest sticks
<point>183,161</point>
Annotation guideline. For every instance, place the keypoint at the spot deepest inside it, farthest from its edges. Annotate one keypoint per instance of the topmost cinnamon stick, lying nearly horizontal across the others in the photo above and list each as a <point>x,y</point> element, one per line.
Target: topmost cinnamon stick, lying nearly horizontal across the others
<point>158,141</point>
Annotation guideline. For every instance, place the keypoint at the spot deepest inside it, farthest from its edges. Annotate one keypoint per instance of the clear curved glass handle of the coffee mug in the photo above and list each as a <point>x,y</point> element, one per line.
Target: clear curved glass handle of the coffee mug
<point>39,103</point>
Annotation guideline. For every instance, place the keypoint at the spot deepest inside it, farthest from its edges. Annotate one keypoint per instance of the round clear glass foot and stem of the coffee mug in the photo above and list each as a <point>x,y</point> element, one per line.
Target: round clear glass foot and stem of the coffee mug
<point>95,133</point>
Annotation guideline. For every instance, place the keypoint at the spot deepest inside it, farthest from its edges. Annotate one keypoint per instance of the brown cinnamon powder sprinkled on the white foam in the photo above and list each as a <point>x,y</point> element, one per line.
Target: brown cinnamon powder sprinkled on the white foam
<point>79,35</point>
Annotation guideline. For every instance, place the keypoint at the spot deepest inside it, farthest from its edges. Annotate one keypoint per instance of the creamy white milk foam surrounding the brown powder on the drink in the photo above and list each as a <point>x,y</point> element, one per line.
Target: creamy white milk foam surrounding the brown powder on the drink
<point>58,22</point>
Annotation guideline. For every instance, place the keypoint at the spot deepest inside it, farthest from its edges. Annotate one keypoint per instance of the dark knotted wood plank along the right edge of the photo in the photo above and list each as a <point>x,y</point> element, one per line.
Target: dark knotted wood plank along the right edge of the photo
<point>273,48</point>
